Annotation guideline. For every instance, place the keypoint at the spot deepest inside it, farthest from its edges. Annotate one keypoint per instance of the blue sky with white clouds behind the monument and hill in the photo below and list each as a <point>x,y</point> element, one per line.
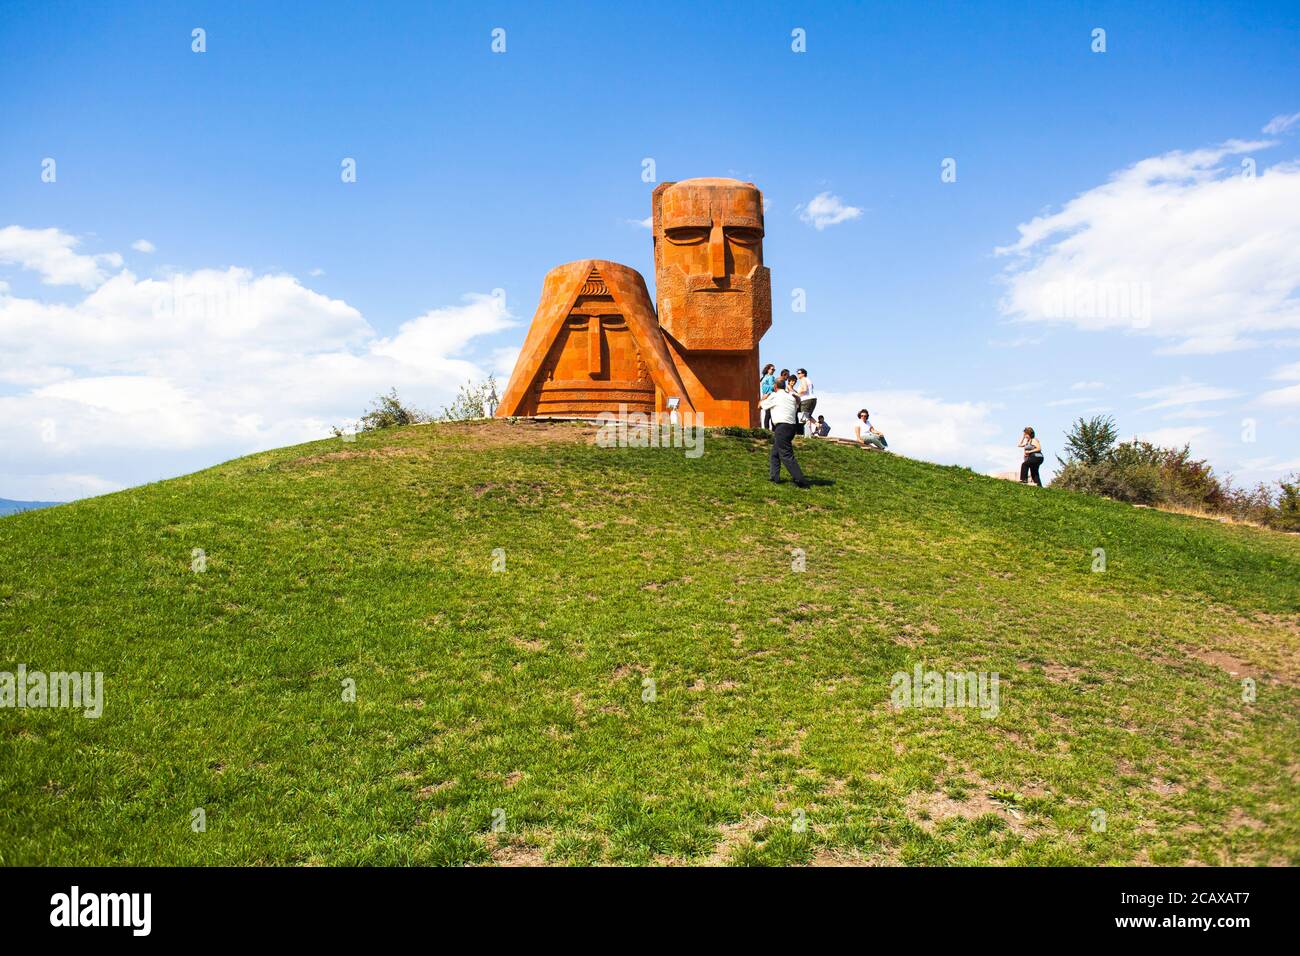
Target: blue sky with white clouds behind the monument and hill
<point>480,171</point>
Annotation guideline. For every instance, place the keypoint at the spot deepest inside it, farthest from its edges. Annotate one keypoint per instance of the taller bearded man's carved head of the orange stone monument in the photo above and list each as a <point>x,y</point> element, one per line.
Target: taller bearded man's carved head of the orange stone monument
<point>714,293</point>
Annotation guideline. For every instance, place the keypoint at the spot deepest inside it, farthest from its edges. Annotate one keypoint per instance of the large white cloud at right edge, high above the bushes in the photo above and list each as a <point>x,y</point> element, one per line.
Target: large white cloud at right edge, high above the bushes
<point>1181,246</point>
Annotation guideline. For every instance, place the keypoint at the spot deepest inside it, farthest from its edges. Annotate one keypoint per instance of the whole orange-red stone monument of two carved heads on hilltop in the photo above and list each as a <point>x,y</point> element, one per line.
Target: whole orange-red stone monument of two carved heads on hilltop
<point>596,344</point>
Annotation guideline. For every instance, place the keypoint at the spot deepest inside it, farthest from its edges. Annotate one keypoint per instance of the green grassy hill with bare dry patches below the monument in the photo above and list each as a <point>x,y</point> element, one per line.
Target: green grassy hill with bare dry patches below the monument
<point>523,697</point>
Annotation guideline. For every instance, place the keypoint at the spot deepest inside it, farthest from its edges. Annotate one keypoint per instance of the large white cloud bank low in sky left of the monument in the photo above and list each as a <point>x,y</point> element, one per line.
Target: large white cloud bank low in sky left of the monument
<point>141,377</point>
